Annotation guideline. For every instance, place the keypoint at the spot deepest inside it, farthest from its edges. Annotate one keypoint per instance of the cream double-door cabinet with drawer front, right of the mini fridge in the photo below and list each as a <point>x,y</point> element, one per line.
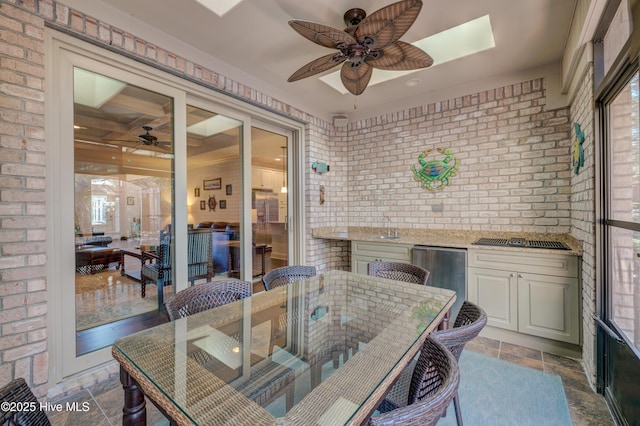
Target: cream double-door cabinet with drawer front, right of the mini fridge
<point>535,294</point>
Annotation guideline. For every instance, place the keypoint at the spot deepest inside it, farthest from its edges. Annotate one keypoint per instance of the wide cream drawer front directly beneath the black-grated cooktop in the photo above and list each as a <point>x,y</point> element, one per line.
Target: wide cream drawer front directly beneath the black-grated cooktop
<point>545,264</point>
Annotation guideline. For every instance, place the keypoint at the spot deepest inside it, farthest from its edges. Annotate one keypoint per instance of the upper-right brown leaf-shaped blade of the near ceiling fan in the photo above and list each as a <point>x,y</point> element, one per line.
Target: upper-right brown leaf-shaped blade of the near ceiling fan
<point>388,24</point>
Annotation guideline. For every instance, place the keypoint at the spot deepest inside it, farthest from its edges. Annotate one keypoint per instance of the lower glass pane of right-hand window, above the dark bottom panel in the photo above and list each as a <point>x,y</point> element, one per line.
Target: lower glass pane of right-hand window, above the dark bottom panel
<point>625,282</point>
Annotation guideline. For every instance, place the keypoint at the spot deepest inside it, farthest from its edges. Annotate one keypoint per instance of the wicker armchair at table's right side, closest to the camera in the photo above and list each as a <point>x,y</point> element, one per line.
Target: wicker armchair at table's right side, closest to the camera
<point>432,385</point>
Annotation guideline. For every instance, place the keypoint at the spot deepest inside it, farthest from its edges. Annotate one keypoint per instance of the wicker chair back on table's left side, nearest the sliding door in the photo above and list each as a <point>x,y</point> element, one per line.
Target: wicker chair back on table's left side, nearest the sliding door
<point>202,297</point>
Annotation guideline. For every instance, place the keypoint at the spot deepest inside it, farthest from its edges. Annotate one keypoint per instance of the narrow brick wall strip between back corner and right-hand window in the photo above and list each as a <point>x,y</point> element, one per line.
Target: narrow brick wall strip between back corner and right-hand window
<point>582,217</point>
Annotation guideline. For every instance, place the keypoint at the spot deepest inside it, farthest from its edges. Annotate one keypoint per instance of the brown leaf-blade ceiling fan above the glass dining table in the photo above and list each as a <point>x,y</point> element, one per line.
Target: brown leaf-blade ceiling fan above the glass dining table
<point>368,42</point>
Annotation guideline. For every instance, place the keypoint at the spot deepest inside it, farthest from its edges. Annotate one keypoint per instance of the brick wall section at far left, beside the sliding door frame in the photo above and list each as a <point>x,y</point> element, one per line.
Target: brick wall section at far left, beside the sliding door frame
<point>23,304</point>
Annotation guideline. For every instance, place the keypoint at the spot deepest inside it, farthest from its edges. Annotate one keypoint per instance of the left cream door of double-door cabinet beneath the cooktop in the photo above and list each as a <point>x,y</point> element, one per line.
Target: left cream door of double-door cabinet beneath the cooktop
<point>496,292</point>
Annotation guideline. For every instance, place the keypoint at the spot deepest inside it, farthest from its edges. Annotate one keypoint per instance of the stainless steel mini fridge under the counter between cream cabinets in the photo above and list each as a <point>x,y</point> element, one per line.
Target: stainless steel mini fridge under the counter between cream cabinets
<point>447,269</point>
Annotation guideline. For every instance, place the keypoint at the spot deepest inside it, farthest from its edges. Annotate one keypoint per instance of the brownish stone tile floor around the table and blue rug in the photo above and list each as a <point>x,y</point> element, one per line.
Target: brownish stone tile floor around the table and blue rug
<point>587,408</point>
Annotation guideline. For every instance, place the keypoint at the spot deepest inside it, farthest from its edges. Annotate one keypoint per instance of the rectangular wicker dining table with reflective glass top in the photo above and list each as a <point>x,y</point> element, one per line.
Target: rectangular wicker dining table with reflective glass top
<point>324,350</point>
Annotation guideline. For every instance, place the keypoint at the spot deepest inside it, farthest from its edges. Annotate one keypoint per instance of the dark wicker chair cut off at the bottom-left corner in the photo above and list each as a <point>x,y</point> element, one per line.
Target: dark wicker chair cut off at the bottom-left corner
<point>17,391</point>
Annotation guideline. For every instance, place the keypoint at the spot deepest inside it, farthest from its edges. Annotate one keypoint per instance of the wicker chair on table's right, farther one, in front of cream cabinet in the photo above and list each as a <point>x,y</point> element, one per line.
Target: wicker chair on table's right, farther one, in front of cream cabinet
<point>470,321</point>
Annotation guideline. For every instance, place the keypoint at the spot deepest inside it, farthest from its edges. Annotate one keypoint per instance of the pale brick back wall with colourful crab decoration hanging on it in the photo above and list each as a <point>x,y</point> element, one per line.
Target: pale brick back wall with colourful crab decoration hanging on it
<point>514,164</point>
